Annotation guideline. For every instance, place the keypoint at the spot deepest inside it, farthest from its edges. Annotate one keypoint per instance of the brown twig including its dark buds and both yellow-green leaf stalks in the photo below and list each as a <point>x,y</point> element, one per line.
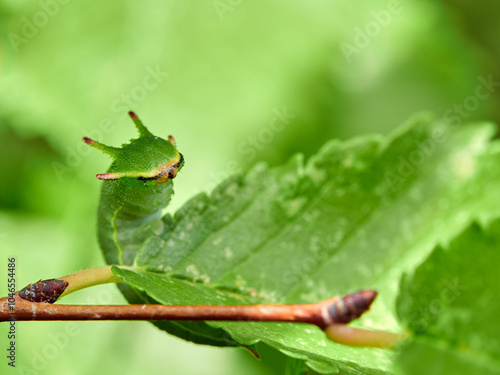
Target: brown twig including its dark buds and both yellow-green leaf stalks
<point>35,302</point>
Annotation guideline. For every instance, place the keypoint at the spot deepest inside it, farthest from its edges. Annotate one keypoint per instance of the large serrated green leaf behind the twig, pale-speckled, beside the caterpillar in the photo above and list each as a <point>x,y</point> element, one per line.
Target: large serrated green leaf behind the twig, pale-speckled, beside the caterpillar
<point>356,215</point>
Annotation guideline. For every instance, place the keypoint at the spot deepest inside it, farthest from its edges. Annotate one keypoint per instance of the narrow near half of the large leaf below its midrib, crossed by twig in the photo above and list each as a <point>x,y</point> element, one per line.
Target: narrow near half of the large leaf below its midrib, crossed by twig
<point>298,340</point>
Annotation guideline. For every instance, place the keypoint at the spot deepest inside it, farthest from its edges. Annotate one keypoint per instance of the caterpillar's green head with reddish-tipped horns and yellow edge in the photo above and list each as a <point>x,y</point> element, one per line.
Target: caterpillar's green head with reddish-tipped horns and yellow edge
<point>147,158</point>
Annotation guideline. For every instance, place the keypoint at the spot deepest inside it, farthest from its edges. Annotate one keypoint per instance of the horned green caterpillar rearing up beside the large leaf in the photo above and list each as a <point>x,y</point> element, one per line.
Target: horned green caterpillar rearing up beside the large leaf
<point>137,186</point>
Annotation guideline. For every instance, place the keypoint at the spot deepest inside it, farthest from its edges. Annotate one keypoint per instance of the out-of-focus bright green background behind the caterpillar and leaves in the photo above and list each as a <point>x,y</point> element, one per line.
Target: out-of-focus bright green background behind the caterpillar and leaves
<point>236,82</point>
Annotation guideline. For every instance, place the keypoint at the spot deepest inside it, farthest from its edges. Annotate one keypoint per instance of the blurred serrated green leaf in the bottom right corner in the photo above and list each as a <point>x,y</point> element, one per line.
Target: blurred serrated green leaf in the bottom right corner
<point>451,309</point>
